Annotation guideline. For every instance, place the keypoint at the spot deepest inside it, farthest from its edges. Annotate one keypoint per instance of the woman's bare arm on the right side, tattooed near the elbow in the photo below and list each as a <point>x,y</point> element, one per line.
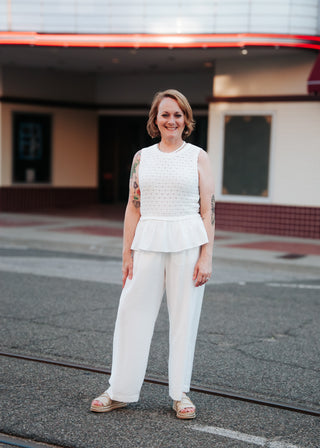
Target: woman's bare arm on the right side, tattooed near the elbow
<point>203,268</point>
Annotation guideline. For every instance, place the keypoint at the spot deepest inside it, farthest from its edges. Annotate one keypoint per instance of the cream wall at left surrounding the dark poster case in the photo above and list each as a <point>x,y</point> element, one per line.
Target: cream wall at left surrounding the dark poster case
<point>74,145</point>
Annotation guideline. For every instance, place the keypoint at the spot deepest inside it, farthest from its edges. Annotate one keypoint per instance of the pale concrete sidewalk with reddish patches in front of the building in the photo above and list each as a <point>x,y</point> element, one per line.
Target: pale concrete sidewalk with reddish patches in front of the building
<point>98,230</point>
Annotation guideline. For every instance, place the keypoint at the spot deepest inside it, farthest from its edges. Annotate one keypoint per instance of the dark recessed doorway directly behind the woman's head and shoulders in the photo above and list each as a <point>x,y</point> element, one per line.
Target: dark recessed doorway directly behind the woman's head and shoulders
<point>120,137</point>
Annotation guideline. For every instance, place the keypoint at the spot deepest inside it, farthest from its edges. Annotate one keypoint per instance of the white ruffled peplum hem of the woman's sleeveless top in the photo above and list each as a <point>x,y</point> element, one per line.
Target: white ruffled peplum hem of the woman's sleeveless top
<point>169,234</point>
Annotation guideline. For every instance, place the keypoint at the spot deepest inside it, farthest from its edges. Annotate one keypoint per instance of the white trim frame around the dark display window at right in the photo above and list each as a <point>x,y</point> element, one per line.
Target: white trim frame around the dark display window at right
<point>240,198</point>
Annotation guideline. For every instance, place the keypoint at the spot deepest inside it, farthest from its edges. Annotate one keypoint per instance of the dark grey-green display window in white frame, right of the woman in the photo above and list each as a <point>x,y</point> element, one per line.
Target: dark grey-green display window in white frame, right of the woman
<point>246,155</point>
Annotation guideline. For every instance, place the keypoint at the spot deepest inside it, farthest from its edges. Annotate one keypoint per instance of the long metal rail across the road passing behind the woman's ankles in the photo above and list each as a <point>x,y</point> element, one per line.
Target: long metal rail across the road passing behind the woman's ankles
<point>204,390</point>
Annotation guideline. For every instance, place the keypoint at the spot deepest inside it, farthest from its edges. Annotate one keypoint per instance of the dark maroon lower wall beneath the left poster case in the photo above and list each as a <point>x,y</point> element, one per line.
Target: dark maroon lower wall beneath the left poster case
<point>19,199</point>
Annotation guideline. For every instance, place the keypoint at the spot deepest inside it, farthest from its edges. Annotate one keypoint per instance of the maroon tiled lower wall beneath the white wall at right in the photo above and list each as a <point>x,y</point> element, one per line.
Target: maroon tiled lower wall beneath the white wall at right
<point>269,219</point>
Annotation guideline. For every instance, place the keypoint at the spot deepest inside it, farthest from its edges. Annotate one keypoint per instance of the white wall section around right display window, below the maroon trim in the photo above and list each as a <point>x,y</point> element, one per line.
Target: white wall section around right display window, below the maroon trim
<point>295,156</point>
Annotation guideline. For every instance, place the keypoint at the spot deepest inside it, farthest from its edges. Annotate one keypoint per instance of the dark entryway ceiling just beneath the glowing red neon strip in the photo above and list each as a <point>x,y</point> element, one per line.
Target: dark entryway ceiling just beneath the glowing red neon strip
<point>126,60</point>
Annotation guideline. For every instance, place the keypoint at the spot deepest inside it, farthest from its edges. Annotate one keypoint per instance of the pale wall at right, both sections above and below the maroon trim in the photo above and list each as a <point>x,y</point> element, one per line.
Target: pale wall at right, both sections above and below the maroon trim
<point>295,157</point>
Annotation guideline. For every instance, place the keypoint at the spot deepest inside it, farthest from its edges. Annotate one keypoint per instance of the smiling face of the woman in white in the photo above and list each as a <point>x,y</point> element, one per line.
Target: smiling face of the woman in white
<point>170,119</point>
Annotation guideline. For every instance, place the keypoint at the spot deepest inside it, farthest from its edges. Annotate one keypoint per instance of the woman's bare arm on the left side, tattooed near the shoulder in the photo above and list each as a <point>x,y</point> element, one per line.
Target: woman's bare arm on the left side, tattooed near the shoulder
<point>131,219</point>
